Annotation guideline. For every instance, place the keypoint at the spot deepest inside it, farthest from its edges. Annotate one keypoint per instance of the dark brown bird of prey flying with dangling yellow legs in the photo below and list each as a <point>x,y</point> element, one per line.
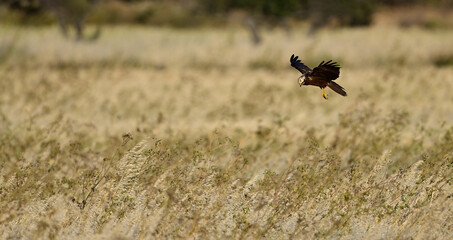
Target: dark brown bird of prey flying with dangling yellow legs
<point>321,76</point>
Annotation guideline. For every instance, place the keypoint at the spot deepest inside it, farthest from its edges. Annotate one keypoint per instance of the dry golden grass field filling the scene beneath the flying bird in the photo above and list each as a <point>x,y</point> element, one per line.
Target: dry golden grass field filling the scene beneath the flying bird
<point>157,133</point>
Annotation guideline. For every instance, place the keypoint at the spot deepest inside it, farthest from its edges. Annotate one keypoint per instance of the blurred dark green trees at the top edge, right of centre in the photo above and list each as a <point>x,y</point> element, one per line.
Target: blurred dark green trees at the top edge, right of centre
<point>319,12</point>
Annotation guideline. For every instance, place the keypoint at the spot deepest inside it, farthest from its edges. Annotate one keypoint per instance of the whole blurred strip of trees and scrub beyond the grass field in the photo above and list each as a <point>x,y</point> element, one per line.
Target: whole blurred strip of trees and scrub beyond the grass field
<point>253,14</point>
